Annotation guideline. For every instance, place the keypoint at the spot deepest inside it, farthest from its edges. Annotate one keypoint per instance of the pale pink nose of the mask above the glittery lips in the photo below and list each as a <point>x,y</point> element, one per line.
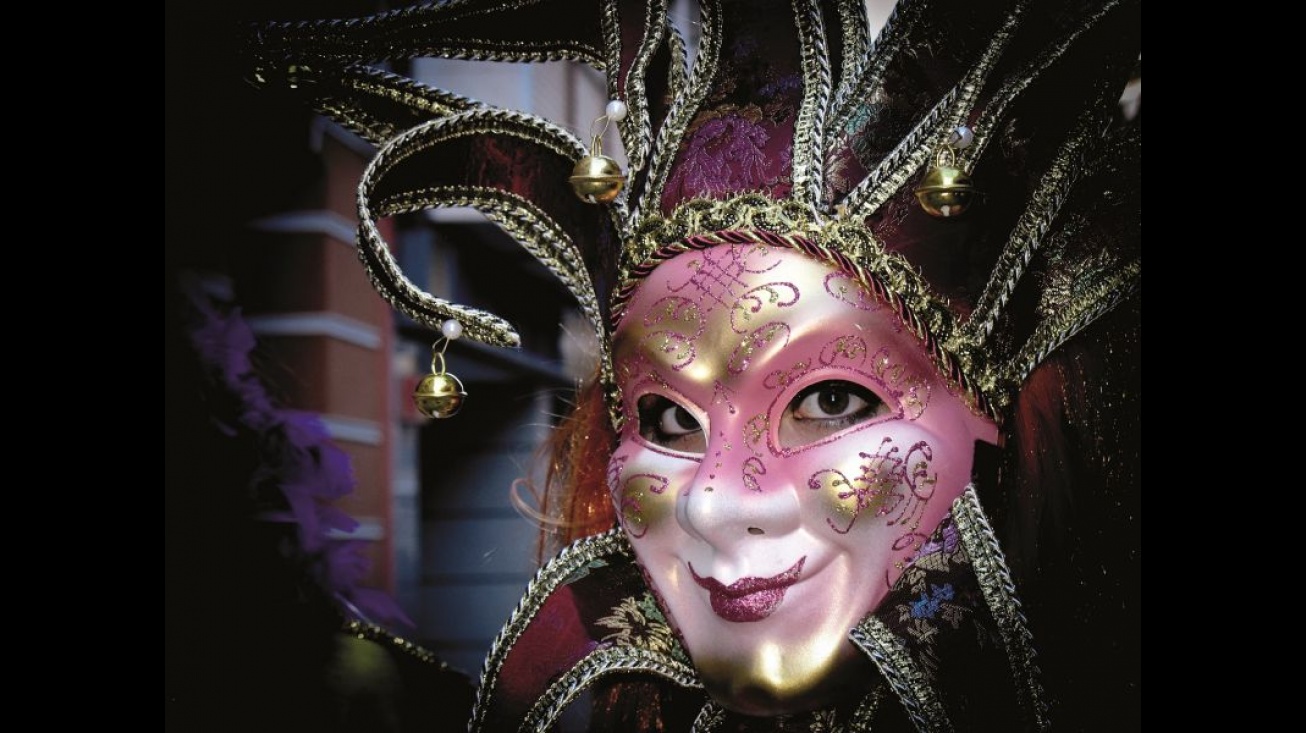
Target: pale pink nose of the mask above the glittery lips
<point>739,497</point>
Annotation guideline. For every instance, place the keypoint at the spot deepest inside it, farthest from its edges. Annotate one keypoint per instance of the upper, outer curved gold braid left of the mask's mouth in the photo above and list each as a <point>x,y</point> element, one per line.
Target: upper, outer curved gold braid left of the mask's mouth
<point>547,581</point>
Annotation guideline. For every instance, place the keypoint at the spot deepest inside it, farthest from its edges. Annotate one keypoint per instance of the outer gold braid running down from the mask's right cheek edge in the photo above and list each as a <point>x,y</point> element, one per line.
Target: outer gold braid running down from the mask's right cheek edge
<point>1000,594</point>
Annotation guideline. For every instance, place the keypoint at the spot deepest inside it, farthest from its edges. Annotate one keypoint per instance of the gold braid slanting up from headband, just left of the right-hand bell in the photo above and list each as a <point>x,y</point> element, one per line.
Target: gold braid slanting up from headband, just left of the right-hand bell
<point>894,172</point>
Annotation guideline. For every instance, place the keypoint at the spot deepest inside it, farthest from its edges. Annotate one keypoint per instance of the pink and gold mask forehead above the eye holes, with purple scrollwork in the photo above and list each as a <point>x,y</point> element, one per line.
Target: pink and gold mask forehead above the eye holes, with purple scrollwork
<point>710,321</point>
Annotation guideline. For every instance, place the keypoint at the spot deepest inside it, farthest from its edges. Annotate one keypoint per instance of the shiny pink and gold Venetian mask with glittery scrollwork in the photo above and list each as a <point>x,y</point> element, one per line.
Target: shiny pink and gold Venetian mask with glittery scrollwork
<point>788,449</point>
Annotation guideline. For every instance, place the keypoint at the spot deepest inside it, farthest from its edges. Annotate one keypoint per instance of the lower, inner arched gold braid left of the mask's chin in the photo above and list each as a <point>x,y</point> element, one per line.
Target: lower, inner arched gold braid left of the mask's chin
<point>597,664</point>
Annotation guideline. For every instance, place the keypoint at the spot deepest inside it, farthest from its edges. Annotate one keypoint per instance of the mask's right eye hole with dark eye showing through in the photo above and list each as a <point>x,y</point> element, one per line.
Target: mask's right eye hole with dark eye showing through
<point>827,408</point>
